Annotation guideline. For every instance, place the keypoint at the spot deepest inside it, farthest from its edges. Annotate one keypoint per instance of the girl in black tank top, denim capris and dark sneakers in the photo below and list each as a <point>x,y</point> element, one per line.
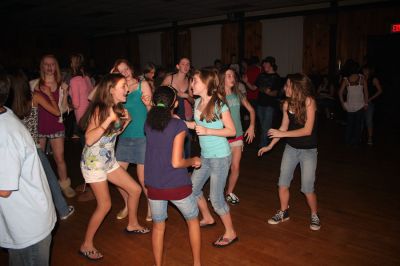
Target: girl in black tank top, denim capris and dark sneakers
<point>299,129</point>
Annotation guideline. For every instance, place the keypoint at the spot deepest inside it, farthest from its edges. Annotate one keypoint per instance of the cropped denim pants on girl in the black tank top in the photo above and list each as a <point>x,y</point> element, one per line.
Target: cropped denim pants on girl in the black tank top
<point>308,164</point>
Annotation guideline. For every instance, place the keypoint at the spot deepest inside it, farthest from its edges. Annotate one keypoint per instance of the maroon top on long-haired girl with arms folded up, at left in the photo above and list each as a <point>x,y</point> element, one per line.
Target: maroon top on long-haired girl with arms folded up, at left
<point>49,123</point>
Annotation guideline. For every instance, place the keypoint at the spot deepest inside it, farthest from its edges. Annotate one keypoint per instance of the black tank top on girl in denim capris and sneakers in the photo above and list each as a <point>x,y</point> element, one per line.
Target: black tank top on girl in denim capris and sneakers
<point>305,142</point>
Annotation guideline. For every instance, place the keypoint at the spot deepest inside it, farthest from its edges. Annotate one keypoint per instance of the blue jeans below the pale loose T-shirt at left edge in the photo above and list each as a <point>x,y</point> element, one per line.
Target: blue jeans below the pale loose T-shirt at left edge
<point>35,255</point>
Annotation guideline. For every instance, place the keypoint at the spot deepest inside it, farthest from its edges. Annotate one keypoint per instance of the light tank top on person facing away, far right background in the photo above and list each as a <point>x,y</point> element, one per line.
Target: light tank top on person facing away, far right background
<point>355,95</point>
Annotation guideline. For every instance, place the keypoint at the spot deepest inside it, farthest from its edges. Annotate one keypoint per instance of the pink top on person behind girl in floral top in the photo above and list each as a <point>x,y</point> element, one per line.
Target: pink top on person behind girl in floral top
<point>80,88</point>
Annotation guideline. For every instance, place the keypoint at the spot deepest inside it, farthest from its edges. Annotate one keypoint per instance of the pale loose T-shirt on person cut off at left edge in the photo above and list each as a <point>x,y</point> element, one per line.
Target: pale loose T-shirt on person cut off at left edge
<point>27,216</point>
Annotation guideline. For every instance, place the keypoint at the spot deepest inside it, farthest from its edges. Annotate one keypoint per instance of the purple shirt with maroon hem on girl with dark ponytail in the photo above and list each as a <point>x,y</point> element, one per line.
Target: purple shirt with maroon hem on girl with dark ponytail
<point>163,181</point>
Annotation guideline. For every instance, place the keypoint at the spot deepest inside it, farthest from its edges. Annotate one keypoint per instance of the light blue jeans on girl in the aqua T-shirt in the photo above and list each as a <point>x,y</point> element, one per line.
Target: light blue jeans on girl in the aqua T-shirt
<point>217,170</point>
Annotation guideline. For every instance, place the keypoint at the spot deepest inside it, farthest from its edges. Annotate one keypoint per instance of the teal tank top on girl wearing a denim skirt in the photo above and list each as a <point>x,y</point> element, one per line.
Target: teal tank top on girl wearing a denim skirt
<point>138,112</point>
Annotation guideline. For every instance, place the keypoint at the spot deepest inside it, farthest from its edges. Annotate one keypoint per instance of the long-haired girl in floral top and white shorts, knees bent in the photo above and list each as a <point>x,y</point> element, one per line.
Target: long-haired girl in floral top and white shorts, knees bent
<point>104,120</point>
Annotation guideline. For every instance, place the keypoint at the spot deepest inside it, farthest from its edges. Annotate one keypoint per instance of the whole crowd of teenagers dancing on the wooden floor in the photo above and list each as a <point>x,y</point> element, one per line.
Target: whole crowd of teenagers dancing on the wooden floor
<point>151,121</point>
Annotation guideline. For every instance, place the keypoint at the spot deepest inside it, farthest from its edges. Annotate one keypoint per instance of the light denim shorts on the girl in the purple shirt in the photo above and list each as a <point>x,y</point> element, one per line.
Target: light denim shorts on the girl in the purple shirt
<point>187,206</point>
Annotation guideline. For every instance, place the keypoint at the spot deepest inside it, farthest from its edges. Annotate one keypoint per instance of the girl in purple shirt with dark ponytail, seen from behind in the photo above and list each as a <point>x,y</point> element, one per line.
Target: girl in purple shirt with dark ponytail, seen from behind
<point>166,176</point>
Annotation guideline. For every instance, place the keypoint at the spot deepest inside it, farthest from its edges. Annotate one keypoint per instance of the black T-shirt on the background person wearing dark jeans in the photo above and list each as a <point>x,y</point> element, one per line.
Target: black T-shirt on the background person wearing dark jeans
<point>271,81</point>
